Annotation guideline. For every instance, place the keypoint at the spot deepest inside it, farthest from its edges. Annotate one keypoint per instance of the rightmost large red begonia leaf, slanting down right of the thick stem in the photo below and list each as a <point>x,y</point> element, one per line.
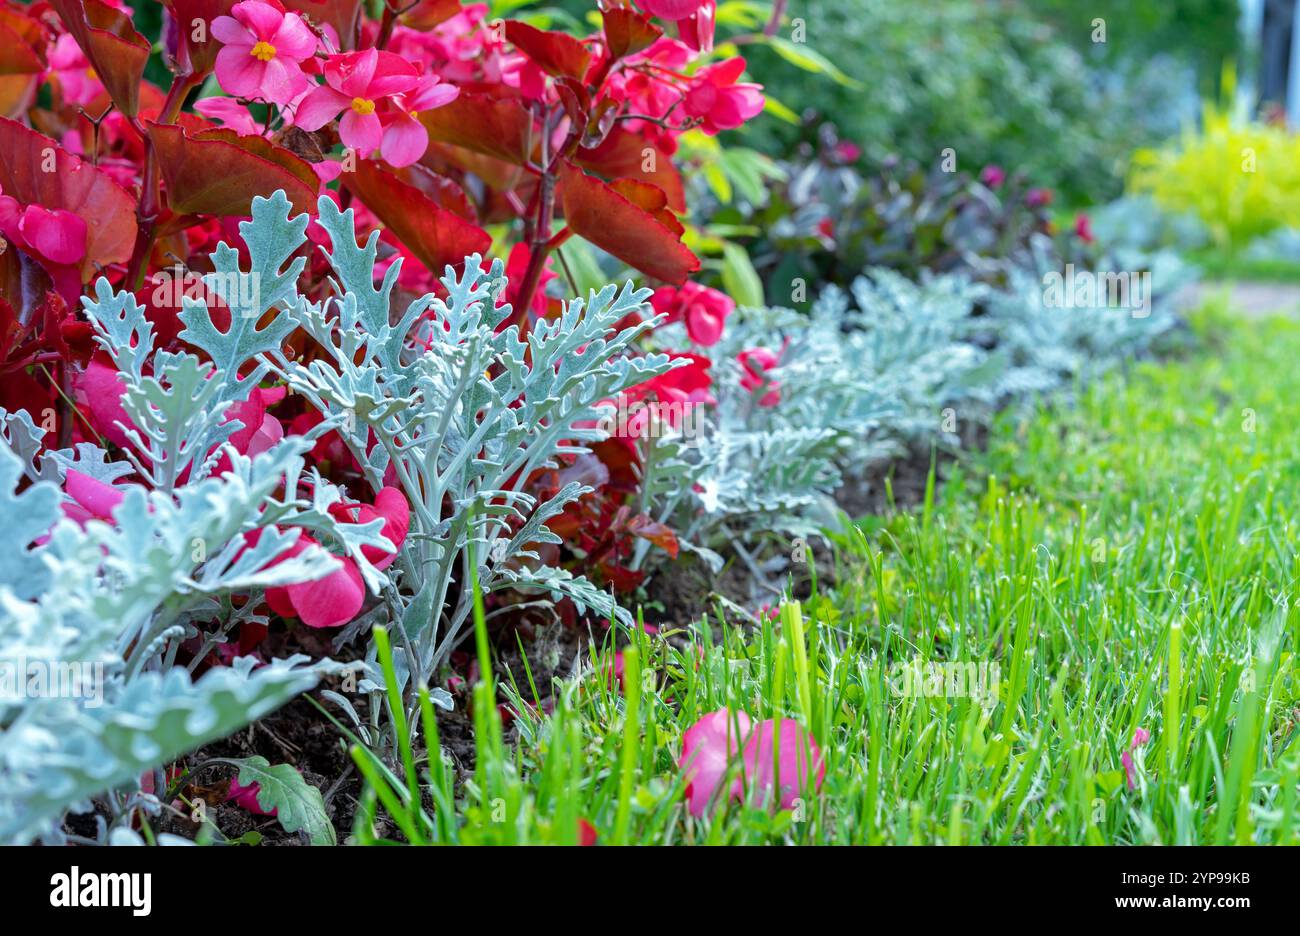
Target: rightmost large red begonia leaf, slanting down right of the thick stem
<point>612,222</point>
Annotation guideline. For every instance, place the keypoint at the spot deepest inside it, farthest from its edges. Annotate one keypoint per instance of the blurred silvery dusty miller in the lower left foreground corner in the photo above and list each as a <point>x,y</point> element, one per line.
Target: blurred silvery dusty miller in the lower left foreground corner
<point>97,614</point>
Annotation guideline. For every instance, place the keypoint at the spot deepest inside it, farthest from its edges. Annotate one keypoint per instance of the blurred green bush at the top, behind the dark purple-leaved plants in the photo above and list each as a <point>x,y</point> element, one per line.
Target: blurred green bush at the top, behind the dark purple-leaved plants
<point>1020,84</point>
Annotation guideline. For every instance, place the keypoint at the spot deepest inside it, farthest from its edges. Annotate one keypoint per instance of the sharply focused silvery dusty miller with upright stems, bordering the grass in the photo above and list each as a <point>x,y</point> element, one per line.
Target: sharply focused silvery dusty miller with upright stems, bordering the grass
<point>465,411</point>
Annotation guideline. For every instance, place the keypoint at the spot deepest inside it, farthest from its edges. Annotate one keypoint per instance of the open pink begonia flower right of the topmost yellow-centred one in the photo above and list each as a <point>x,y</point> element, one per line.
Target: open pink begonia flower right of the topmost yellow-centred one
<point>357,84</point>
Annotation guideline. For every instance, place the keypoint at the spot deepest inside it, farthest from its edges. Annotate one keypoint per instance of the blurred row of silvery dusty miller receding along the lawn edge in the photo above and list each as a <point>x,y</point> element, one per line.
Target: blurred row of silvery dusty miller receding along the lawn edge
<point>874,369</point>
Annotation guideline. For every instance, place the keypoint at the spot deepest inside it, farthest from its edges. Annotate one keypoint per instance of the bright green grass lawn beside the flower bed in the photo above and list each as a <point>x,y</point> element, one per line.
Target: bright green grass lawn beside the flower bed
<point>1128,562</point>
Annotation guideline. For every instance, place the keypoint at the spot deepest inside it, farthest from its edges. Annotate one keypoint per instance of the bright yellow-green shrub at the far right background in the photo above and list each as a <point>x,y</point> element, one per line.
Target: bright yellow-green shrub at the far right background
<point>1241,179</point>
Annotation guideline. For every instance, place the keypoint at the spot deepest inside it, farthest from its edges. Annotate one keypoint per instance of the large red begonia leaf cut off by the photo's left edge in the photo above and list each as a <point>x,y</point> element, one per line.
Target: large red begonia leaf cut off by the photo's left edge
<point>71,185</point>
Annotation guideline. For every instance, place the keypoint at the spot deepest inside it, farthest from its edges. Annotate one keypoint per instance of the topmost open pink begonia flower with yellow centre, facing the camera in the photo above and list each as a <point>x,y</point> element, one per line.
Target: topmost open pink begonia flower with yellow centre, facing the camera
<point>263,47</point>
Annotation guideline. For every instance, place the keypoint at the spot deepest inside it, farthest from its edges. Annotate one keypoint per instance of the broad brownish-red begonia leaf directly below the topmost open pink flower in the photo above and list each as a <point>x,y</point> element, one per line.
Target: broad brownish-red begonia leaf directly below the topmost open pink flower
<point>219,172</point>
